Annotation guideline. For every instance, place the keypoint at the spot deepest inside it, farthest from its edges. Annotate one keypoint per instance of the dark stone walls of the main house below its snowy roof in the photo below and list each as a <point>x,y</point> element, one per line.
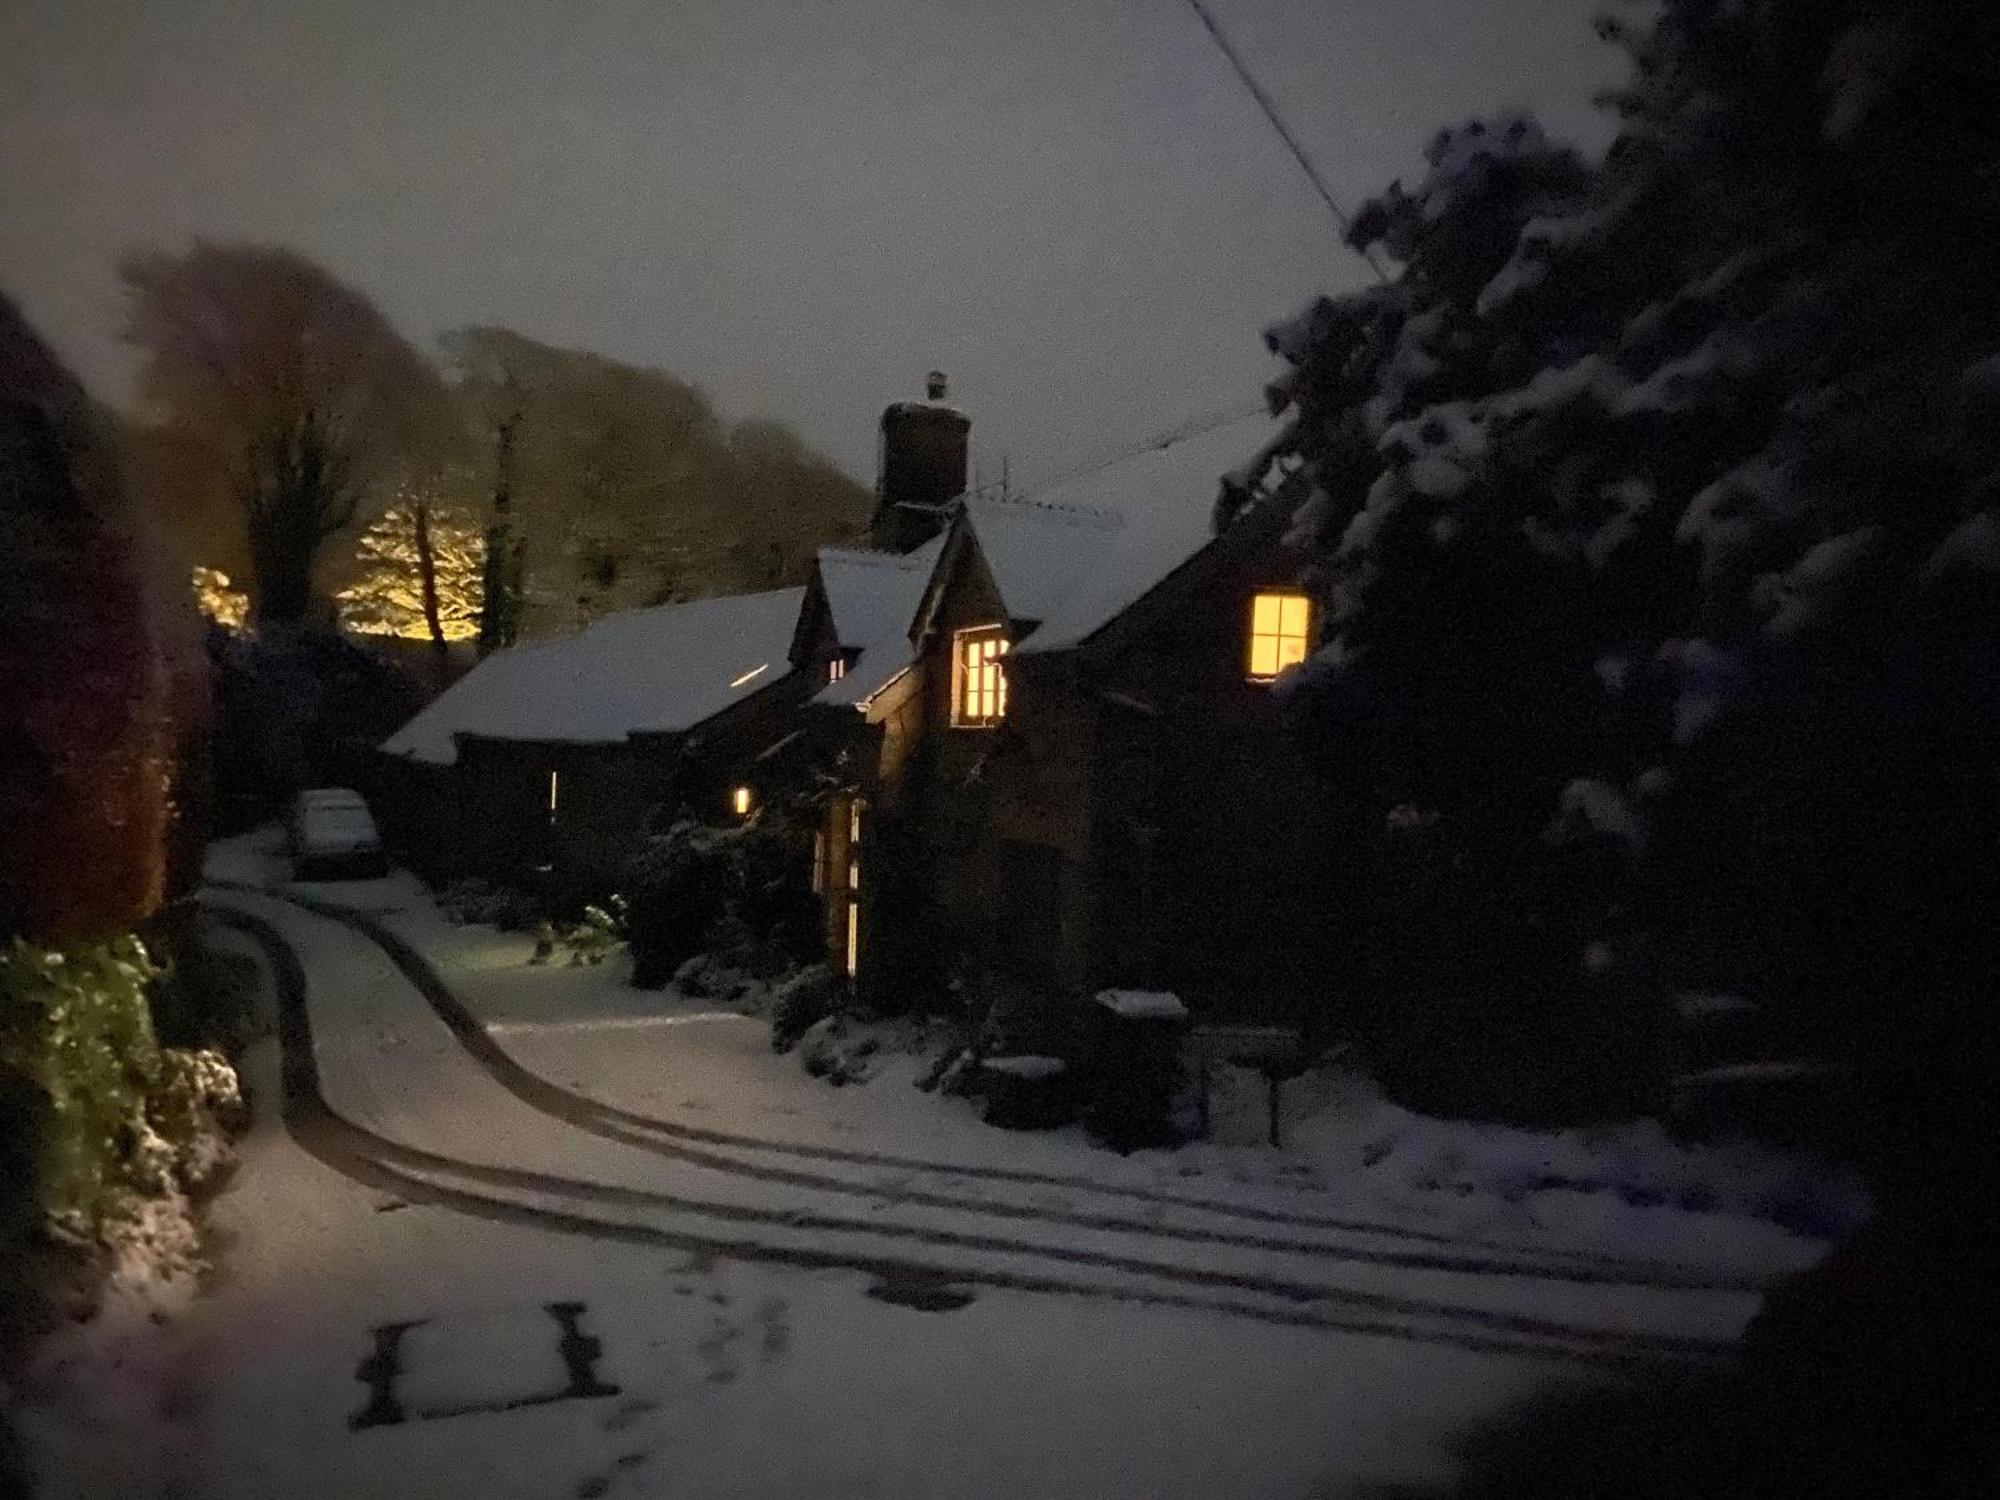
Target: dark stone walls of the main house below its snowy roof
<point>1139,819</point>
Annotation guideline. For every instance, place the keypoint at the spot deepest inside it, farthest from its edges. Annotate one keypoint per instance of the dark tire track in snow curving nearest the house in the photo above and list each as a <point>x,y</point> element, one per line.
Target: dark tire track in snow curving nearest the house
<point>609,1121</point>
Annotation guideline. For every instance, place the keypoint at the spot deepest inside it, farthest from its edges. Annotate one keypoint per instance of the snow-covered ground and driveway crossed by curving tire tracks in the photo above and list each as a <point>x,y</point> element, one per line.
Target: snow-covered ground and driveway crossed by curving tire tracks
<point>849,1293</point>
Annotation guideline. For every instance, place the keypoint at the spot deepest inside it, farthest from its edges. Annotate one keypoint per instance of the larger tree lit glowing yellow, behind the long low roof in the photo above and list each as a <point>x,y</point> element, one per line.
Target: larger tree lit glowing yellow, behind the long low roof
<point>421,575</point>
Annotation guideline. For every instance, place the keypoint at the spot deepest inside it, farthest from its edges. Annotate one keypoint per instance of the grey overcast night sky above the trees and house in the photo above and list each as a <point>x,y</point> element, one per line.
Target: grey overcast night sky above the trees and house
<point>801,205</point>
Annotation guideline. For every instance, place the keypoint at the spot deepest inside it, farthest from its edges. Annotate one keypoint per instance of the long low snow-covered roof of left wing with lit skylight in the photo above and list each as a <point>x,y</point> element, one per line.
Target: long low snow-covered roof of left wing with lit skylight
<point>639,673</point>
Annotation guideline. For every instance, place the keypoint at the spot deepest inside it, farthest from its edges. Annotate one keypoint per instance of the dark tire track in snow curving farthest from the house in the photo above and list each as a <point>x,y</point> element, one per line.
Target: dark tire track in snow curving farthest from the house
<point>1499,1329</point>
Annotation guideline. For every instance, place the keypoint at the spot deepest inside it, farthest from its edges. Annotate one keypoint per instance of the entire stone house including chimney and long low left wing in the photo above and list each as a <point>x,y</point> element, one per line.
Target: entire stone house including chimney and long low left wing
<point>1039,735</point>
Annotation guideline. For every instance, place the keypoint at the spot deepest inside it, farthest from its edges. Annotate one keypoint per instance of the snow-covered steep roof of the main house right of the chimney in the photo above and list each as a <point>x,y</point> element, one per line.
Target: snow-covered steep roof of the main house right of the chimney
<point>1153,515</point>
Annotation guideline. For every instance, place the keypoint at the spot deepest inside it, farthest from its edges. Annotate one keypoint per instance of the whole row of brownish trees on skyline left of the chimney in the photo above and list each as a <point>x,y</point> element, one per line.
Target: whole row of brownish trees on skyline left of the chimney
<point>281,413</point>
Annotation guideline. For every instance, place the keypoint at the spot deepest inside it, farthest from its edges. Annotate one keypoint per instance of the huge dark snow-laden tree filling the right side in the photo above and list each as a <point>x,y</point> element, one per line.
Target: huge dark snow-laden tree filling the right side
<point>1633,501</point>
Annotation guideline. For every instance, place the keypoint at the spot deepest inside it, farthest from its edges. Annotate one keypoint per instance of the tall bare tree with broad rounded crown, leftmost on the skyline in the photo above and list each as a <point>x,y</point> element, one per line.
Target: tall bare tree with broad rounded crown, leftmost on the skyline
<point>287,391</point>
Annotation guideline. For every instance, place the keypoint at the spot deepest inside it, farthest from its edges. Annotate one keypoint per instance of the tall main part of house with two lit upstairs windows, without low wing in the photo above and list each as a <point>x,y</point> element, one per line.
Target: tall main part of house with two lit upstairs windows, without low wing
<point>1055,743</point>
